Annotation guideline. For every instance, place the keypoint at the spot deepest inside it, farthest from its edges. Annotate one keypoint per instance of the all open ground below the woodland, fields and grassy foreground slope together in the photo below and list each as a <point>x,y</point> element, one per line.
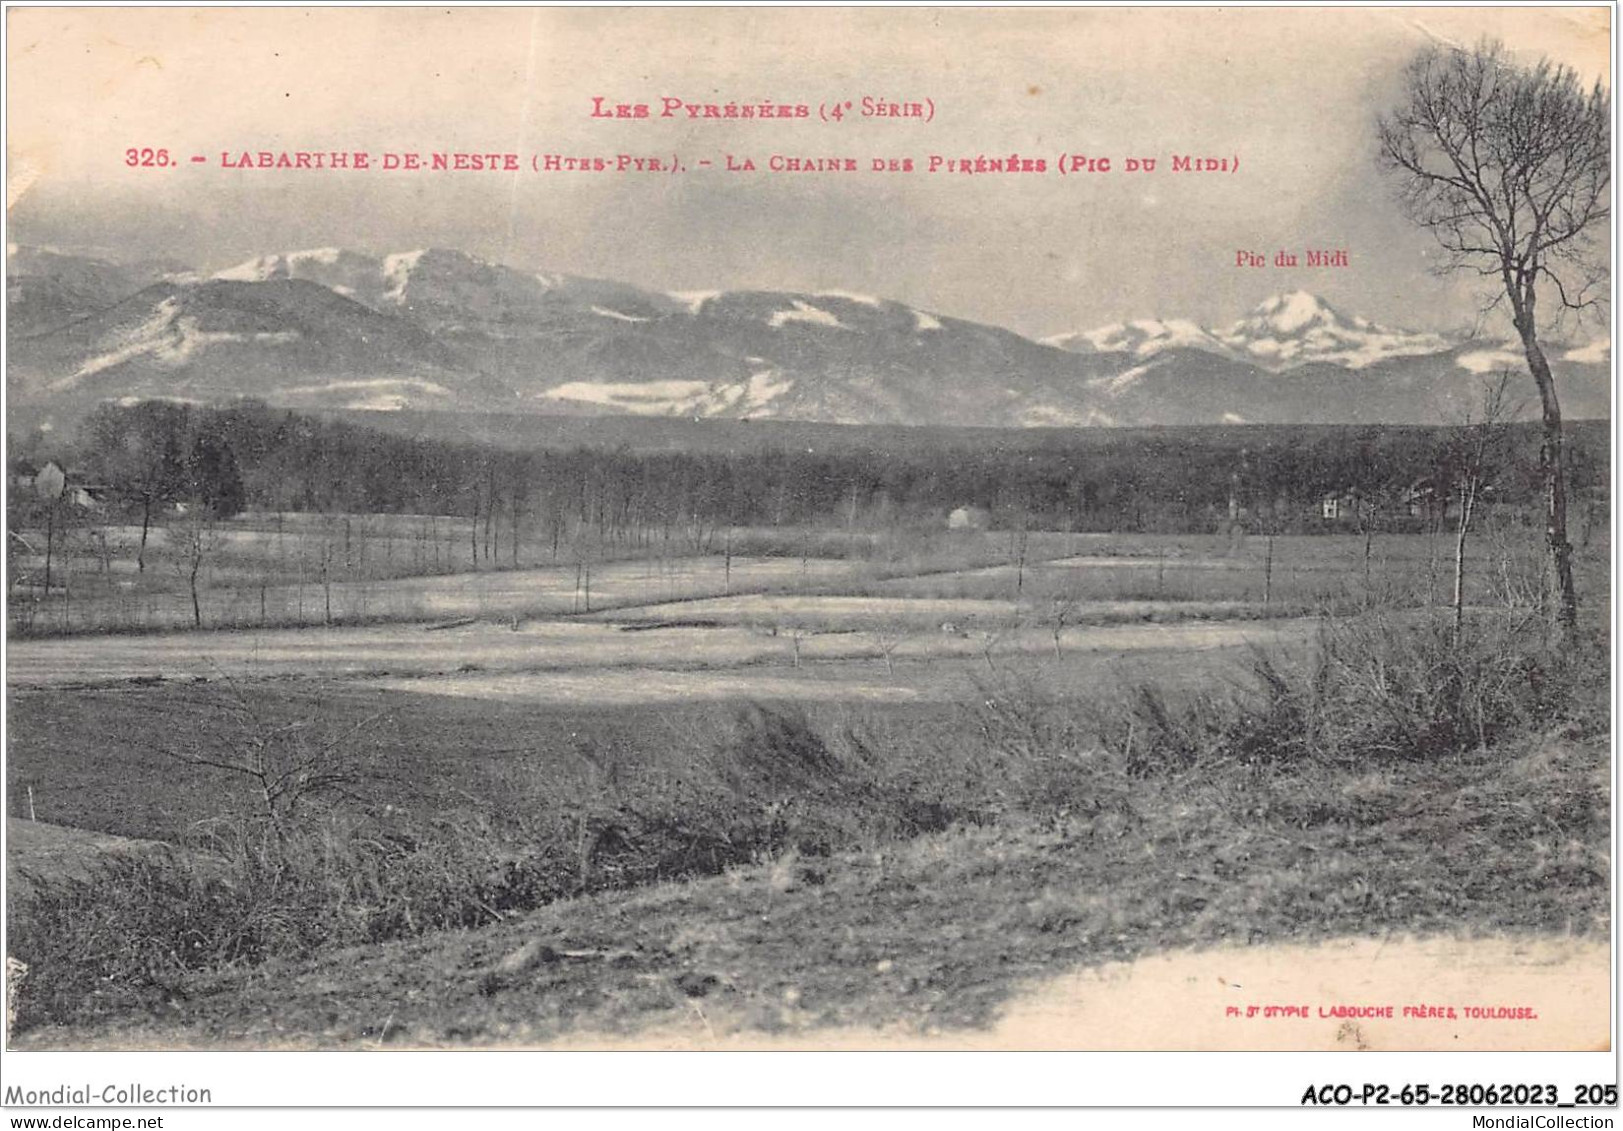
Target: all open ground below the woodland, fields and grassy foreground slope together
<point>811,801</point>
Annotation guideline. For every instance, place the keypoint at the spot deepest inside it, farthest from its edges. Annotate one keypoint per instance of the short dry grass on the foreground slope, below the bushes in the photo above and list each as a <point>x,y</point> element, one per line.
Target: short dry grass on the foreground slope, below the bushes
<point>939,935</point>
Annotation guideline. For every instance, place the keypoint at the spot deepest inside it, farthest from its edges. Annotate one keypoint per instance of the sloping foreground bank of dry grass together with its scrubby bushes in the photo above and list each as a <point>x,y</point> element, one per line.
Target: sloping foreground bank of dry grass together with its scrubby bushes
<point>1403,781</point>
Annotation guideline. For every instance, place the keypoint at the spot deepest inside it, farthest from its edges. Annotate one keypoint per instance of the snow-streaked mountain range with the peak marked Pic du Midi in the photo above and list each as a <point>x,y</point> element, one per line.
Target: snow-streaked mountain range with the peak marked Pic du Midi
<point>442,330</point>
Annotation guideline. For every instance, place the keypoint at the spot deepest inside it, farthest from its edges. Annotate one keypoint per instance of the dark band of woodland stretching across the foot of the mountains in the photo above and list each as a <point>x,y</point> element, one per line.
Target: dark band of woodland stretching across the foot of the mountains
<point>1148,479</point>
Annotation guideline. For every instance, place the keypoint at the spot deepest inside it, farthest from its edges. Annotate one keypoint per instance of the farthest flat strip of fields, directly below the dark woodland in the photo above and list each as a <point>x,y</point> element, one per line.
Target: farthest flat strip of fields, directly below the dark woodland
<point>259,572</point>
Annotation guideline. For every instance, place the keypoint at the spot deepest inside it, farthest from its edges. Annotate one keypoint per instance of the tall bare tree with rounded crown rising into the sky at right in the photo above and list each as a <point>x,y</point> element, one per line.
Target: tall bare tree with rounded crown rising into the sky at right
<point>1510,168</point>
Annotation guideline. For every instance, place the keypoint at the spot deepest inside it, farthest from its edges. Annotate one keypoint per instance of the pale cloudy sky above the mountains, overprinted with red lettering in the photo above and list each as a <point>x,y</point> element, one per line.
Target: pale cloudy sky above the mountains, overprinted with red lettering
<point>1291,93</point>
